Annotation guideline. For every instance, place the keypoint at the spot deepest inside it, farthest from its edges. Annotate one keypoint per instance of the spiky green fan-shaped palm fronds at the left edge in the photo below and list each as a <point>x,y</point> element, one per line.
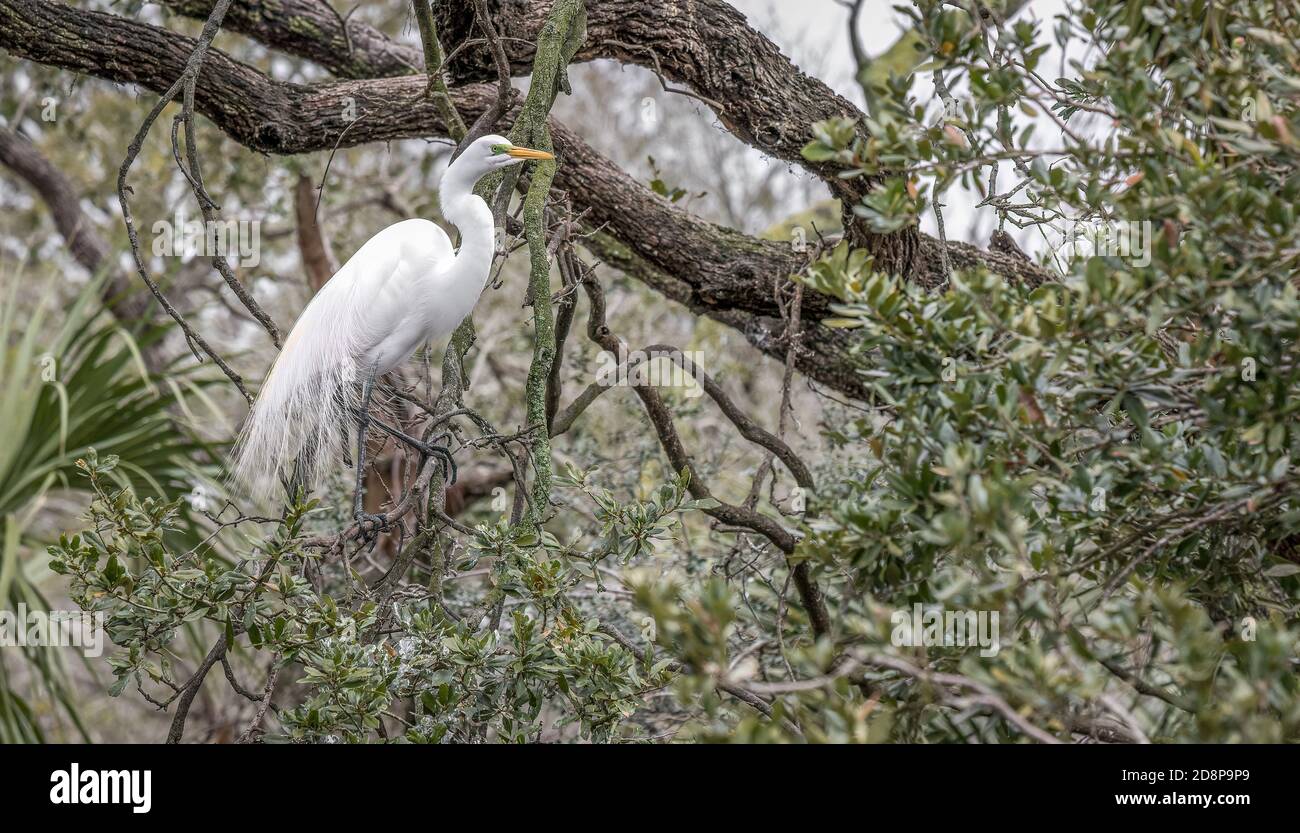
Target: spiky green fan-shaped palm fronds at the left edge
<point>71,383</point>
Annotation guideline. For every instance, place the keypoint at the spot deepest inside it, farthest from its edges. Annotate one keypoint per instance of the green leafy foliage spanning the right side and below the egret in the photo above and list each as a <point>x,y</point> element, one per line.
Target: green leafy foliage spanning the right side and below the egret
<point>1104,459</point>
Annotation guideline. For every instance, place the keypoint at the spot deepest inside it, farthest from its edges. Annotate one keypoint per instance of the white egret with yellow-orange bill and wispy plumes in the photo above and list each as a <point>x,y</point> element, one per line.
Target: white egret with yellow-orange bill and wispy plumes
<point>404,288</point>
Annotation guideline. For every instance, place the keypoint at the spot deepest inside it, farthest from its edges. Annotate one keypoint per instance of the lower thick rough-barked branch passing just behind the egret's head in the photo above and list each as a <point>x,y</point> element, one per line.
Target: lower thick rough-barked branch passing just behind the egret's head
<point>712,270</point>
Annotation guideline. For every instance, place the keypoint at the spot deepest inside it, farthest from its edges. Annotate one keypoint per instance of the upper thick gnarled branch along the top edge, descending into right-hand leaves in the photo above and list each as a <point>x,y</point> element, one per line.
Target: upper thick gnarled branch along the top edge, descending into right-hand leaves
<point>708,46</point>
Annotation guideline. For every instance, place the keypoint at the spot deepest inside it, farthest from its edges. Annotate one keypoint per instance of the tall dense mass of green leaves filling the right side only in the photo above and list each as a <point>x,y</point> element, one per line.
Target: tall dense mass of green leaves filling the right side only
<point>1107,459</point>
